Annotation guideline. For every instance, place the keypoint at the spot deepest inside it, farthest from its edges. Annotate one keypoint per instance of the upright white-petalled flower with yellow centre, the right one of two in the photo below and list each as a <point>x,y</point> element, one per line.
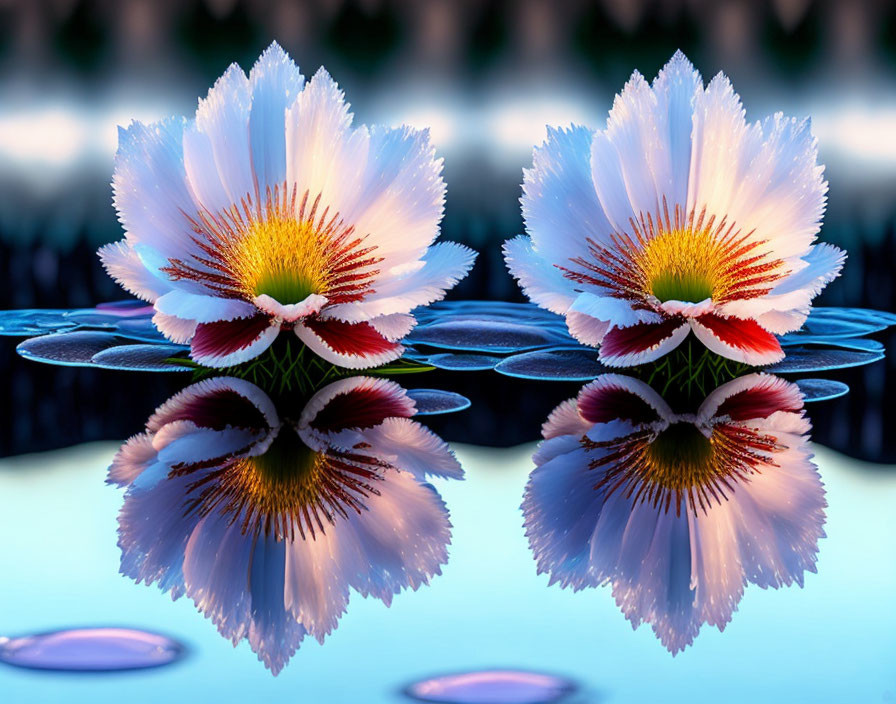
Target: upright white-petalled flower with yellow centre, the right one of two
<point>678,217</point>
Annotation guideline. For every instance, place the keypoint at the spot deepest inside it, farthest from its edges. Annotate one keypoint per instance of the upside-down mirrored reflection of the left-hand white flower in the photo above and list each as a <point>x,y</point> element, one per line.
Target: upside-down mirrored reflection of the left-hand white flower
<point>266,518</point>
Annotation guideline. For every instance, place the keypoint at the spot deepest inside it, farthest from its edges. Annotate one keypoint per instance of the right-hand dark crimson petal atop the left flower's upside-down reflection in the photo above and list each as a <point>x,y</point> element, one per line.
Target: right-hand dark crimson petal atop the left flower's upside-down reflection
<point>362,407</point>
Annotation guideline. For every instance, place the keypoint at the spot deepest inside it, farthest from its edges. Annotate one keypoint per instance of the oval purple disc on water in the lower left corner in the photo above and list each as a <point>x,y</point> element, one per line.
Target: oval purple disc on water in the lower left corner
<point>91,650</point>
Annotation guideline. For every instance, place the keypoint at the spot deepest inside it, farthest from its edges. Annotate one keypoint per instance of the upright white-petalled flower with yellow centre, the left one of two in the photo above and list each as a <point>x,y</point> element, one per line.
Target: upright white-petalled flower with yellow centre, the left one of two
<point>270,212</point>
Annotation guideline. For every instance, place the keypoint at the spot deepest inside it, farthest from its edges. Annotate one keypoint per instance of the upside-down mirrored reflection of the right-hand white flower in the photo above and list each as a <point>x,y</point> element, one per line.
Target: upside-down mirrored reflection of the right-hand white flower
<point>677,512</point>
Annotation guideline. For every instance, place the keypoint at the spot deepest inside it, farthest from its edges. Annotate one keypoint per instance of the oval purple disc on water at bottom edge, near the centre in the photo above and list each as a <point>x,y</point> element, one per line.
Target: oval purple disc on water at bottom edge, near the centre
<point>492,687</point>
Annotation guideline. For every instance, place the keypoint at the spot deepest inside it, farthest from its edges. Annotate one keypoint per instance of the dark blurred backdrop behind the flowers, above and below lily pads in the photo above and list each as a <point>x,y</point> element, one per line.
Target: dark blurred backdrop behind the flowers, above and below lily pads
<point>485,77</point>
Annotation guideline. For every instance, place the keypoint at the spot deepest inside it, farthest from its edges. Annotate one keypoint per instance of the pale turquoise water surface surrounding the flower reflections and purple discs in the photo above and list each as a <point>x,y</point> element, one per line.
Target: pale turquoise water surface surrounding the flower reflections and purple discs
<point>833,641</point>
